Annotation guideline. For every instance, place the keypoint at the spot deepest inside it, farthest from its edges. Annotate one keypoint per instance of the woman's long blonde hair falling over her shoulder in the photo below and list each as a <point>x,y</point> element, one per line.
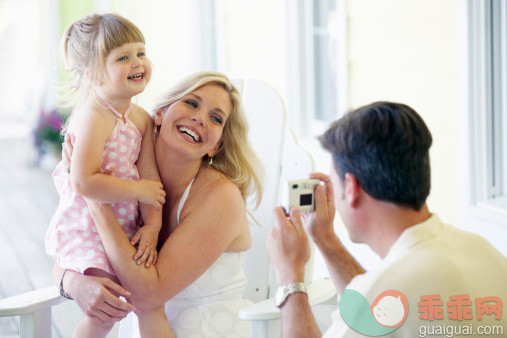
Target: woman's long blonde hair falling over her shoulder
<point>236,158</point>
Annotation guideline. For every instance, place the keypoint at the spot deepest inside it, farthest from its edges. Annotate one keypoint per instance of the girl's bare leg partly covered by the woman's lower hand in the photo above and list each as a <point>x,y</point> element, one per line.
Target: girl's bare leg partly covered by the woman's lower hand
<point>93,327</point>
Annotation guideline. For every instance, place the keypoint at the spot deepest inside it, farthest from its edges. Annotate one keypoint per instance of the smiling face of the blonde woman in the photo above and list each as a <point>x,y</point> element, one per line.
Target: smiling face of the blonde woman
<point>194,123</point>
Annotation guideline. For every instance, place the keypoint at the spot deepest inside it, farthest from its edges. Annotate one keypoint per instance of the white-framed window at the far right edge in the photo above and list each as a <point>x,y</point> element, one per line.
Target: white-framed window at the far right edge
<point>484,162</point>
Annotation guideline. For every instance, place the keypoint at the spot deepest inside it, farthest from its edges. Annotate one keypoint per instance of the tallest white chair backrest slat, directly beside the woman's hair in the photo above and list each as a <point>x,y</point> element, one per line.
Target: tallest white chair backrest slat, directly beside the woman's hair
<point>266,118</point>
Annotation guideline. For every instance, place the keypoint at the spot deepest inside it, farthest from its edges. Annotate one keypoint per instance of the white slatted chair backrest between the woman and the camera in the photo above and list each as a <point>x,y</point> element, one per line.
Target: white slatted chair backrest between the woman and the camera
<point>282,158</point>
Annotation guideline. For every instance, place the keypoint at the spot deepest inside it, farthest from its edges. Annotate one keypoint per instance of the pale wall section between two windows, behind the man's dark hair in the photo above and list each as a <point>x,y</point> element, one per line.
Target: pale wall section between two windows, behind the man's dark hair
<point>405,51</point>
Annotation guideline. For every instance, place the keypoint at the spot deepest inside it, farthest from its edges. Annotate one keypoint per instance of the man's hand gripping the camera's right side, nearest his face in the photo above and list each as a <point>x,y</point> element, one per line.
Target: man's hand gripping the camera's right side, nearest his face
<point>319,224</point>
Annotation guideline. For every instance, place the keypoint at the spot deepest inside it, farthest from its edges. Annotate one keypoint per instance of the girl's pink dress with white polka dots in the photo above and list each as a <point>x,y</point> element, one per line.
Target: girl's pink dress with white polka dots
<point>72,238</point>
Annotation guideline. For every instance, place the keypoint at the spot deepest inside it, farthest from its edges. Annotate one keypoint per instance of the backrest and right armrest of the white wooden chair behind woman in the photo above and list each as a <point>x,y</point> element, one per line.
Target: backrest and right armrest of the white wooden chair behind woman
<point>282,162</point>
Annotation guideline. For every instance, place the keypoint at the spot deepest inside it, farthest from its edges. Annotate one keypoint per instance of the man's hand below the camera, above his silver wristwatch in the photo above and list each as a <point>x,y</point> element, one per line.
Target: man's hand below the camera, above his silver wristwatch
<point>288,247</point>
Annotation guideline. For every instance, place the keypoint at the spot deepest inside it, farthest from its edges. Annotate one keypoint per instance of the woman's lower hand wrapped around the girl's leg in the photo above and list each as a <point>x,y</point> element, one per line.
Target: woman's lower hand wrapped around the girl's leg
<point>98,296</point>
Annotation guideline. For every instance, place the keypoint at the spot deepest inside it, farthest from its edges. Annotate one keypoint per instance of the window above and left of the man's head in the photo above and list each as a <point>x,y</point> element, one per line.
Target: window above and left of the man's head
<point>318,81</point>
